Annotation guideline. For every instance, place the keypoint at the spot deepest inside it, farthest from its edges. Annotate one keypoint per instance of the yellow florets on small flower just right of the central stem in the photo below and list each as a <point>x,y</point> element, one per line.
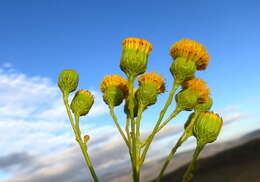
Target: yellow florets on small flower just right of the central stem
<point>154,79</point>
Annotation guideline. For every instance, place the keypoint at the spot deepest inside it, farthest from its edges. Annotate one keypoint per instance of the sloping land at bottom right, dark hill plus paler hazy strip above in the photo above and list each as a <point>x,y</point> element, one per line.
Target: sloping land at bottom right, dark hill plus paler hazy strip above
<point>234,161</point>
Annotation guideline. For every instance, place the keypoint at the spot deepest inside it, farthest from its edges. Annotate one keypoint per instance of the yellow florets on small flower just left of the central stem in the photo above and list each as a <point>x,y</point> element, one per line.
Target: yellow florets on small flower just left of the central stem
<point>114,81</point>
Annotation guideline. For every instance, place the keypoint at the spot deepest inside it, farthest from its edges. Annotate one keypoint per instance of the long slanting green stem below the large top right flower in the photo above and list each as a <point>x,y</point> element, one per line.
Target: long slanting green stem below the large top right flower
<point>167,104</point>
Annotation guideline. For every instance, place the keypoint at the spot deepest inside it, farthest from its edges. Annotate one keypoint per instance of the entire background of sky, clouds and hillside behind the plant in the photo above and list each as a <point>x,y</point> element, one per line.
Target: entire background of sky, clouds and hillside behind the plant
<point>40,38</point>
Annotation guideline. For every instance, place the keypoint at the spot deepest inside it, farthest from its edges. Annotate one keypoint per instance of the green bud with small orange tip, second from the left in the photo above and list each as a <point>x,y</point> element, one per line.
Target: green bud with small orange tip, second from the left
<point>82,102</point>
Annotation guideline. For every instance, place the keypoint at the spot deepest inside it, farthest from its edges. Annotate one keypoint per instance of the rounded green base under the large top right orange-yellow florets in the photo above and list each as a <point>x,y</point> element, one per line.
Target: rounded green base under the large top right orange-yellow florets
<point>183,69</point>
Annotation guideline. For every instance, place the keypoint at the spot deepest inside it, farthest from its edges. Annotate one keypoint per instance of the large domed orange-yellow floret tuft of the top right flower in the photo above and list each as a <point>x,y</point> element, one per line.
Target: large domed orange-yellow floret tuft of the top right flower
<point>192,50</point>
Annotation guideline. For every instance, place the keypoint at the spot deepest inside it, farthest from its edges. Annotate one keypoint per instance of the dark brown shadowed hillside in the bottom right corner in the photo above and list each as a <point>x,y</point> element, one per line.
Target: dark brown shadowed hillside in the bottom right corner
<point>240,164</point>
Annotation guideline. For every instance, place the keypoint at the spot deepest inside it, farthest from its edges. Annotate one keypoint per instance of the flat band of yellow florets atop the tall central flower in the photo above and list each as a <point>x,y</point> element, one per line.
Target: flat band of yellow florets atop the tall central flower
<point>138,44</point>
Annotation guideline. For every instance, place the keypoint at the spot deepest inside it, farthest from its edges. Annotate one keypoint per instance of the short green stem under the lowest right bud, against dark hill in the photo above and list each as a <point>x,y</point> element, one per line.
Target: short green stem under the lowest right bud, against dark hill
<point>188,174</point>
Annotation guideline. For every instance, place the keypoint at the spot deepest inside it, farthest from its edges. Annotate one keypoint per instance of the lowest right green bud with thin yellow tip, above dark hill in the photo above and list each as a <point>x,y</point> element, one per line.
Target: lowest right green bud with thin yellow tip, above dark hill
<point>207,127</point>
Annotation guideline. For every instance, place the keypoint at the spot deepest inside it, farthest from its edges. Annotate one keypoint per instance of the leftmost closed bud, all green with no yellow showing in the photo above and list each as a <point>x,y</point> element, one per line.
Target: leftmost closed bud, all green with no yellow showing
<point>68,81</point>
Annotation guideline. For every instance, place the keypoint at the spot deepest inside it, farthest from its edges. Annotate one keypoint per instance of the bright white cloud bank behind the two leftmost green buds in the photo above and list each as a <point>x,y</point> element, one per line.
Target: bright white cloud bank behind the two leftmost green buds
<point>32,114</point>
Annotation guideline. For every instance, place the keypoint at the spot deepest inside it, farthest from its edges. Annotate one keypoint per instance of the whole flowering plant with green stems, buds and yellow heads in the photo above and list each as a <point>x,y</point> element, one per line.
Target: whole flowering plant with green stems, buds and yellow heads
<point>188,56</point>
